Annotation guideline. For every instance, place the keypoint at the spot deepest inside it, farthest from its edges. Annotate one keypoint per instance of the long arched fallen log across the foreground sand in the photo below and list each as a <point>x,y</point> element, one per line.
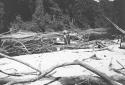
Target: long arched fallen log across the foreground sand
<point>106,78</point>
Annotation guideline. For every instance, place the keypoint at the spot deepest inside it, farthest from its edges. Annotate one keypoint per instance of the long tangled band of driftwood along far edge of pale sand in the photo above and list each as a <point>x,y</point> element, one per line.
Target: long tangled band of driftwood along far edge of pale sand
<point>41,43</point>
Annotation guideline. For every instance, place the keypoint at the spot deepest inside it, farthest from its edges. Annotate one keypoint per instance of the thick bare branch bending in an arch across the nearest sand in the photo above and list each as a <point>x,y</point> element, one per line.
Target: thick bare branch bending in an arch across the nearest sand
<point>103,75</point>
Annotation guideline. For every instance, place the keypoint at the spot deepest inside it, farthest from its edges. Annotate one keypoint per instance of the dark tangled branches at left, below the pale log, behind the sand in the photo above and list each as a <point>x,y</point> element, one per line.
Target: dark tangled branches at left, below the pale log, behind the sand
<point>16,47</point>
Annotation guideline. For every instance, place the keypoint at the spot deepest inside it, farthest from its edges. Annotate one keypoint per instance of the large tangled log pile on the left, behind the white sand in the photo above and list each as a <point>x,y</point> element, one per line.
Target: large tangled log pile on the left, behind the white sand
<point>28,45</point>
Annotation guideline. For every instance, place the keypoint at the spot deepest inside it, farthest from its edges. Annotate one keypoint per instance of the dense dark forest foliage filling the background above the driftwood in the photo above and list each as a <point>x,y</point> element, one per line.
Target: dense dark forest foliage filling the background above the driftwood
<point>56,15</point>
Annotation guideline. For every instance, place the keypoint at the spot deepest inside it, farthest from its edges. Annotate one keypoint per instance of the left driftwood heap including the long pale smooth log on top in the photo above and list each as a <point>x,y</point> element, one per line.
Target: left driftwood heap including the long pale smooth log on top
<point>22,42</point>
